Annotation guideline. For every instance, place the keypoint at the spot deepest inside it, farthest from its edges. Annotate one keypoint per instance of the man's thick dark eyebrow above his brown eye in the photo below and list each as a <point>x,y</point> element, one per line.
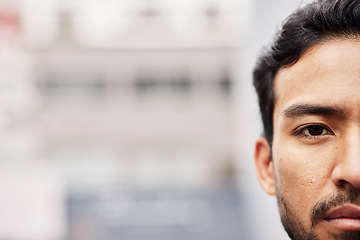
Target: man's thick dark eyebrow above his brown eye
<point>299,110</point>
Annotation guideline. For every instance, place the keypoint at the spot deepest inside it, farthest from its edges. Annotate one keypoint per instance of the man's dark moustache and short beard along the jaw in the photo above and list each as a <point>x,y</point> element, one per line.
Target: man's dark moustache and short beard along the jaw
<point>297,231</point>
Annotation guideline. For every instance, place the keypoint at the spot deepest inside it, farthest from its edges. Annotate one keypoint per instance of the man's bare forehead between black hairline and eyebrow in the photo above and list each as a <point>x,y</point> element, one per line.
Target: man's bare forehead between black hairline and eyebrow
<point>327,73</point>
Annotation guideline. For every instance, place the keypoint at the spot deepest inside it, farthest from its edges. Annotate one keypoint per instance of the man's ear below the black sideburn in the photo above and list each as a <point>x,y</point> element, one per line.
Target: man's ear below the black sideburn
<point>264,166</point>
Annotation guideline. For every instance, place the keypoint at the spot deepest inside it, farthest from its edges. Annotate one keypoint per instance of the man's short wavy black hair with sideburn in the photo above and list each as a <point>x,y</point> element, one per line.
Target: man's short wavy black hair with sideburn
<point>317,22</point>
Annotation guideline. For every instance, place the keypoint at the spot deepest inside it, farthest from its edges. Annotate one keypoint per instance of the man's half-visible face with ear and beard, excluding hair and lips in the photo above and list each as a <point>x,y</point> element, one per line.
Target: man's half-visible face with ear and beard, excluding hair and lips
<point>313,165</point>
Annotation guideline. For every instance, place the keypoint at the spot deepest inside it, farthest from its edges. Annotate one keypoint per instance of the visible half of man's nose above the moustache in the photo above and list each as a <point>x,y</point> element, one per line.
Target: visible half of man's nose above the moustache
<point>347,168</point>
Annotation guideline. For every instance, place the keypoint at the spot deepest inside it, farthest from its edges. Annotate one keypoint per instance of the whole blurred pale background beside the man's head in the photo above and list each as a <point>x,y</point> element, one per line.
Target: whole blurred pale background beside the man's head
<point>132,119</point>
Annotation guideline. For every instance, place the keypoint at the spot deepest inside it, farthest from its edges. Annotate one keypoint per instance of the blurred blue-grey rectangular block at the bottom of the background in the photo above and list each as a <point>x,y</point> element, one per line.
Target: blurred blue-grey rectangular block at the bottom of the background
<point>158,215</point>
